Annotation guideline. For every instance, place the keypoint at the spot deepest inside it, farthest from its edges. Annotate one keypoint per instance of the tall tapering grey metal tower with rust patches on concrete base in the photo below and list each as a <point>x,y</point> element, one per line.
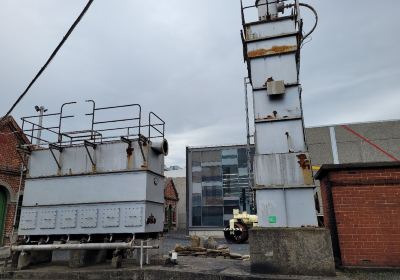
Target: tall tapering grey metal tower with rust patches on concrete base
<point>283,175</point>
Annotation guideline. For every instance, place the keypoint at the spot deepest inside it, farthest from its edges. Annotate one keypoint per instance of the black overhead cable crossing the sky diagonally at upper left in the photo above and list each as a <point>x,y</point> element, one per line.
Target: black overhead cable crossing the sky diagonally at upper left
<point>78,19</point>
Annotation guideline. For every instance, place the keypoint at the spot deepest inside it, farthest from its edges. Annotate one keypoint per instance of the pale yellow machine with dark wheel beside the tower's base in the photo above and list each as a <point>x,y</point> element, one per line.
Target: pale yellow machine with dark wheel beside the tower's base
<point>238,229</point>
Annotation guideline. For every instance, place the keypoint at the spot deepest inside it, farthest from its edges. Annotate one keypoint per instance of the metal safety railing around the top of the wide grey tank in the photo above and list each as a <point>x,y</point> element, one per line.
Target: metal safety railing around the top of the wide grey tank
<point>99,130</point>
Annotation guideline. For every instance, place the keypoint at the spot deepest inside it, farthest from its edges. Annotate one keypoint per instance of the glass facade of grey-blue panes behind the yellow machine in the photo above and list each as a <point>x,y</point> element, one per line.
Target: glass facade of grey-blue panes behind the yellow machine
<point>218,184</point>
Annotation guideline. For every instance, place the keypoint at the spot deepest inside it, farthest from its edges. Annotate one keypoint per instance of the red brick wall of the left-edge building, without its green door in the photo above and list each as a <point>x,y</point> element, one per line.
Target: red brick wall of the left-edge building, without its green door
<point>10,164</point>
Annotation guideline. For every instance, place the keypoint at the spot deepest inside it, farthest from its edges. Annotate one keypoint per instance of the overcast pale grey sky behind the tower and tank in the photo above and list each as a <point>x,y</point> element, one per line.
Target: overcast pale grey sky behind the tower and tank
<point>184,61</point>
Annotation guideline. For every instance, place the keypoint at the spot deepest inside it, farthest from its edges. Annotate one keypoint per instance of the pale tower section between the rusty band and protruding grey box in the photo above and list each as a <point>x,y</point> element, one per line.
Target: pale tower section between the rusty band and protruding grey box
<point>279,67</point>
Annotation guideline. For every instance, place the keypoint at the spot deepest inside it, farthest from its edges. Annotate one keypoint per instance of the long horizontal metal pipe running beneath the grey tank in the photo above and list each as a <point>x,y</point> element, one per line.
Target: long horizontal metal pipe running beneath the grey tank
<point>85,246</point>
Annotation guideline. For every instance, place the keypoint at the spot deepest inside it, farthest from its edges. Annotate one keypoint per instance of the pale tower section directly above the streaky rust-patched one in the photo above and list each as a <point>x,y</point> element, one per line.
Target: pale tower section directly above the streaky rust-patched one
<point>271,137</point>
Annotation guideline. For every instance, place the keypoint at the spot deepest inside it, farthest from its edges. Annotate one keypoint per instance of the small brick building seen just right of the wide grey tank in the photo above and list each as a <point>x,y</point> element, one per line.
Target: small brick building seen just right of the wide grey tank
<point>171,201</point>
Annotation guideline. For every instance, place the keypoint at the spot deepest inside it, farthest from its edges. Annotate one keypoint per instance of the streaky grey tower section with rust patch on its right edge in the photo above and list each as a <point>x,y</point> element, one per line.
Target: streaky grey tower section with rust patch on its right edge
<point>282,170</point>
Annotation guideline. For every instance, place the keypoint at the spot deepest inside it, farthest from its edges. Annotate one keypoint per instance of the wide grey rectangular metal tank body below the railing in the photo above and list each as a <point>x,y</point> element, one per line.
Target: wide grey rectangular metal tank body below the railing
<point>117,196</point>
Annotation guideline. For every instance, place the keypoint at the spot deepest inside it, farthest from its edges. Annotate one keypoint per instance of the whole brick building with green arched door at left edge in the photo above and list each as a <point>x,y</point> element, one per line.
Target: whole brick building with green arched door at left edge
<point>11,182</point>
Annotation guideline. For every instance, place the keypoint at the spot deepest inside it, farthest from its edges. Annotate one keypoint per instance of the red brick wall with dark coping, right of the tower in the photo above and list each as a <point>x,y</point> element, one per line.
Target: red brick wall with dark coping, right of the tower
<point>363,207</point>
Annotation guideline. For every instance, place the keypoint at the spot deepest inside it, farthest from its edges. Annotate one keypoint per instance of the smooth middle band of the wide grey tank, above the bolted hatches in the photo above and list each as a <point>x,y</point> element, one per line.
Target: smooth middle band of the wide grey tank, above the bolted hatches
<point>114,187</point>
